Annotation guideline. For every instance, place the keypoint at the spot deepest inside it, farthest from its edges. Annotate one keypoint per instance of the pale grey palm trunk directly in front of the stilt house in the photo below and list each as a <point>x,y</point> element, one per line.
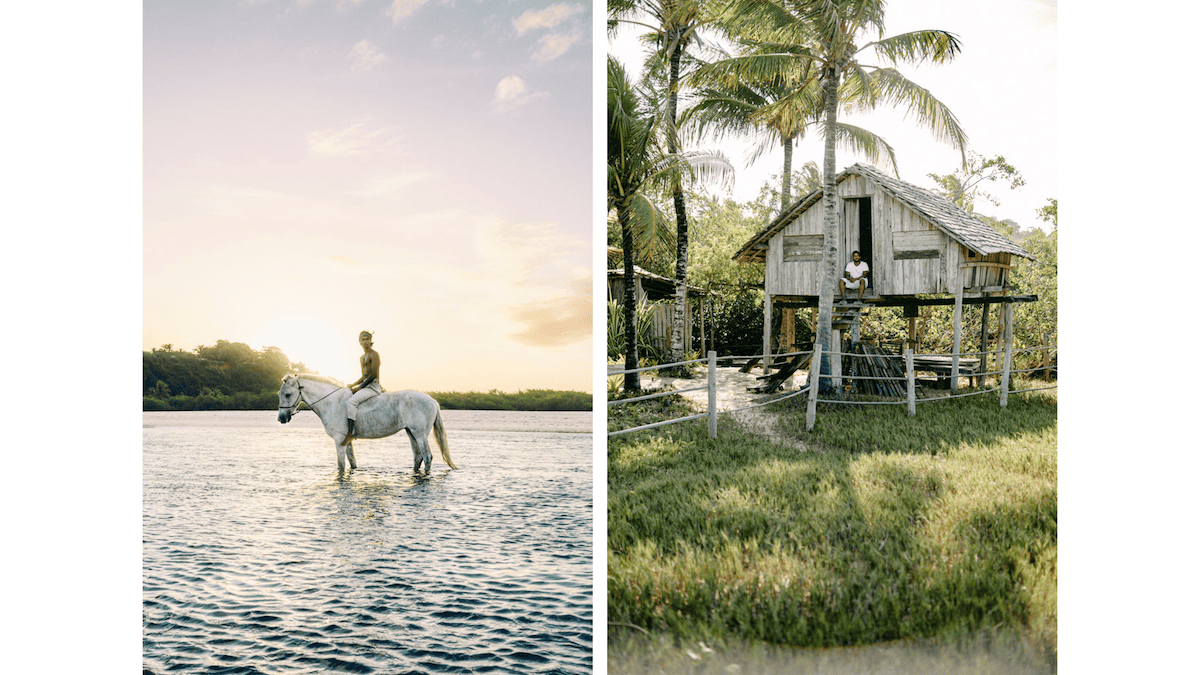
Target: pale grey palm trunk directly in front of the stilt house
<point>829,202</point>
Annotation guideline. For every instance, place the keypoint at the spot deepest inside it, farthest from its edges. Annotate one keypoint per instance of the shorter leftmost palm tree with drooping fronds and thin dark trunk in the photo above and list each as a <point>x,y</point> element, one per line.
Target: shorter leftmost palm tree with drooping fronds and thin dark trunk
<point>638,162</point>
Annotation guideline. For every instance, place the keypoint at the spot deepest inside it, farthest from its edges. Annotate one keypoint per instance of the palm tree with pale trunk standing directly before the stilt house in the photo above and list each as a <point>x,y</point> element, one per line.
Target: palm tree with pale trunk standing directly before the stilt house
<point>820,39</point>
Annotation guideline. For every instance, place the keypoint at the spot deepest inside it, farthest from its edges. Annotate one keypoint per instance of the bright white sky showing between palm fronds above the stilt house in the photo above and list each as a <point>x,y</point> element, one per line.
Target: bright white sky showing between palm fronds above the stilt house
<point>1004,88</point>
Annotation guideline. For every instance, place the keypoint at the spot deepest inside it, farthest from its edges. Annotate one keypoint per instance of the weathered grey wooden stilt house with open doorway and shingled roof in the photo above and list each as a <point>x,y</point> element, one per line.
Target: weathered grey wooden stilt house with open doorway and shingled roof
<point>914,241</point>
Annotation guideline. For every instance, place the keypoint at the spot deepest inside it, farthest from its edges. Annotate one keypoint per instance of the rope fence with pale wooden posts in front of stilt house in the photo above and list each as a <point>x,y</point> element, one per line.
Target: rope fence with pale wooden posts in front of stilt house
<point>814,375</point>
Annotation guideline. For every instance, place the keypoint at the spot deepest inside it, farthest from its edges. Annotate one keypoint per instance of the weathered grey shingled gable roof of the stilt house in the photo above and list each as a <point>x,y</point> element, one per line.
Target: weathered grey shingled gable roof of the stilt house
<point>941,213</point>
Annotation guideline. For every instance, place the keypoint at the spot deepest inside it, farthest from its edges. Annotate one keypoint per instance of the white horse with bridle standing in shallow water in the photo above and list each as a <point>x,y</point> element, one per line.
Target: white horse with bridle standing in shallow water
<point>379,417</point>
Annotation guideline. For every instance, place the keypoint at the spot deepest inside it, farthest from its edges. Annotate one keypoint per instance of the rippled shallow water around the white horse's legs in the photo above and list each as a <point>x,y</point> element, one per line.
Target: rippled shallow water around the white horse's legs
<point>259,557</point>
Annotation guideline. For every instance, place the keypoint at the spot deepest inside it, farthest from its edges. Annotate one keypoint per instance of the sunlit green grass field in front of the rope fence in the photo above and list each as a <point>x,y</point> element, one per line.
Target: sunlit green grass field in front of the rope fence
<point>941,527</point>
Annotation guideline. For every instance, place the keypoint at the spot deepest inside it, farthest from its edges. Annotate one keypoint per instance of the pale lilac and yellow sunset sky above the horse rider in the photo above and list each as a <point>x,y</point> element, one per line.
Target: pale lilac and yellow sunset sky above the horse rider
<point>419,169</point>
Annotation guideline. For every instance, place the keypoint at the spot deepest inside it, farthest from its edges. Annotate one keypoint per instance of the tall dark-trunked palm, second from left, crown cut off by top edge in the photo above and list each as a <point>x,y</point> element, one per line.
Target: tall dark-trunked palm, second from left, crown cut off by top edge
<point>674,28</point>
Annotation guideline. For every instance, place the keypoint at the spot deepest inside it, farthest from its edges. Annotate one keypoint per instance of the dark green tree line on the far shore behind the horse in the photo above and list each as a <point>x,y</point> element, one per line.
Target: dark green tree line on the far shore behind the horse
<point>235,377</point>
